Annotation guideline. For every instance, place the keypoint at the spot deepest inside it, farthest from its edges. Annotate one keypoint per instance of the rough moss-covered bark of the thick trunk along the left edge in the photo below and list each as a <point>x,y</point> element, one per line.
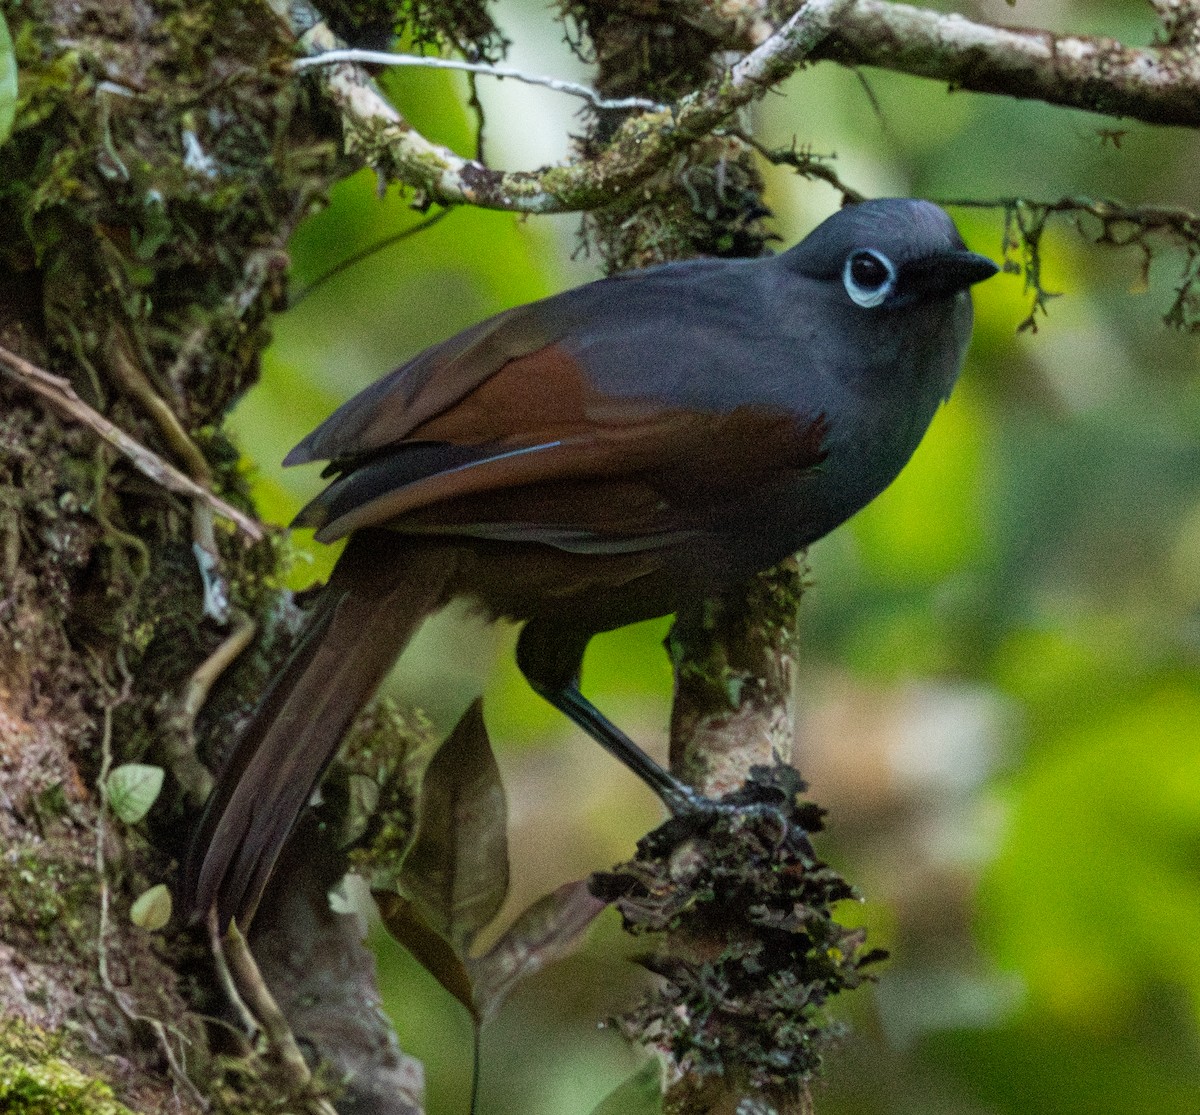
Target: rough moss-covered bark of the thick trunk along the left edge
<point>163,155</point>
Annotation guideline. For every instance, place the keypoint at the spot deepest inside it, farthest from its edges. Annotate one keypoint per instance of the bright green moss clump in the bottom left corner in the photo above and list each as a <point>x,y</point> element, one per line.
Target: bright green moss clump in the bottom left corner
<point>37,1081</point>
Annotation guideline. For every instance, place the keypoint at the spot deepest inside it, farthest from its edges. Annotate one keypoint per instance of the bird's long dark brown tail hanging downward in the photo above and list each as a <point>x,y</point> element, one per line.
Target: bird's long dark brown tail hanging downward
<point>380,594</point>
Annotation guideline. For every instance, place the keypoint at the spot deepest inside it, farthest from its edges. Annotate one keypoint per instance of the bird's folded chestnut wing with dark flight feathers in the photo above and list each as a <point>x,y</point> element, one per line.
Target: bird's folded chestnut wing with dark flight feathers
<point>535,453</point>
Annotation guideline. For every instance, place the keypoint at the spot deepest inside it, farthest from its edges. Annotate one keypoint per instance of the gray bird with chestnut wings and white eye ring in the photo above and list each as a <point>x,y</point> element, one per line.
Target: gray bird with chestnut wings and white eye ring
<point>592,460</point>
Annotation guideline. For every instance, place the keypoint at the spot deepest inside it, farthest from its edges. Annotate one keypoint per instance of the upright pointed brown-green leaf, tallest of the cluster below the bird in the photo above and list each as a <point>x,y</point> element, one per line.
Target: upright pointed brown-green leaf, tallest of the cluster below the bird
<point>458,870</point>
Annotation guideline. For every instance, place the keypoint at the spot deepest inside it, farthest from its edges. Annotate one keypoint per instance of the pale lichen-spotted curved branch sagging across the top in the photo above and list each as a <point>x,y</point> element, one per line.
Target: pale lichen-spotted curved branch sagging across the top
<point>1156,86</point>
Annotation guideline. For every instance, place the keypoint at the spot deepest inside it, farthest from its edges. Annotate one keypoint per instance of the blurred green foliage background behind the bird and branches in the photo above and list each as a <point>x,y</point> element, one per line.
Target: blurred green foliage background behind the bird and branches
<point>1000,690</point>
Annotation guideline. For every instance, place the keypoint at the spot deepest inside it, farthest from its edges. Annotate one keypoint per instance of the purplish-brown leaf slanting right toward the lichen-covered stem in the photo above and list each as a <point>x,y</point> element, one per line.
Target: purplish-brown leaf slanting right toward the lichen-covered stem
<point>544,933</point>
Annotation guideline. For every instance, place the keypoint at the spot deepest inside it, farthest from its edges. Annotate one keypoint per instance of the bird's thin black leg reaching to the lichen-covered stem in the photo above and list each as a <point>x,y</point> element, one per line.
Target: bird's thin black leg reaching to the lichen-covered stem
<point>550,661</point>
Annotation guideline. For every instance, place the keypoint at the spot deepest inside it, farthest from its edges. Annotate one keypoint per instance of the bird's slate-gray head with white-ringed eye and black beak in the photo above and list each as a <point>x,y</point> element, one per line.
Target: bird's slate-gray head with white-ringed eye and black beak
<point>890,254</point>
